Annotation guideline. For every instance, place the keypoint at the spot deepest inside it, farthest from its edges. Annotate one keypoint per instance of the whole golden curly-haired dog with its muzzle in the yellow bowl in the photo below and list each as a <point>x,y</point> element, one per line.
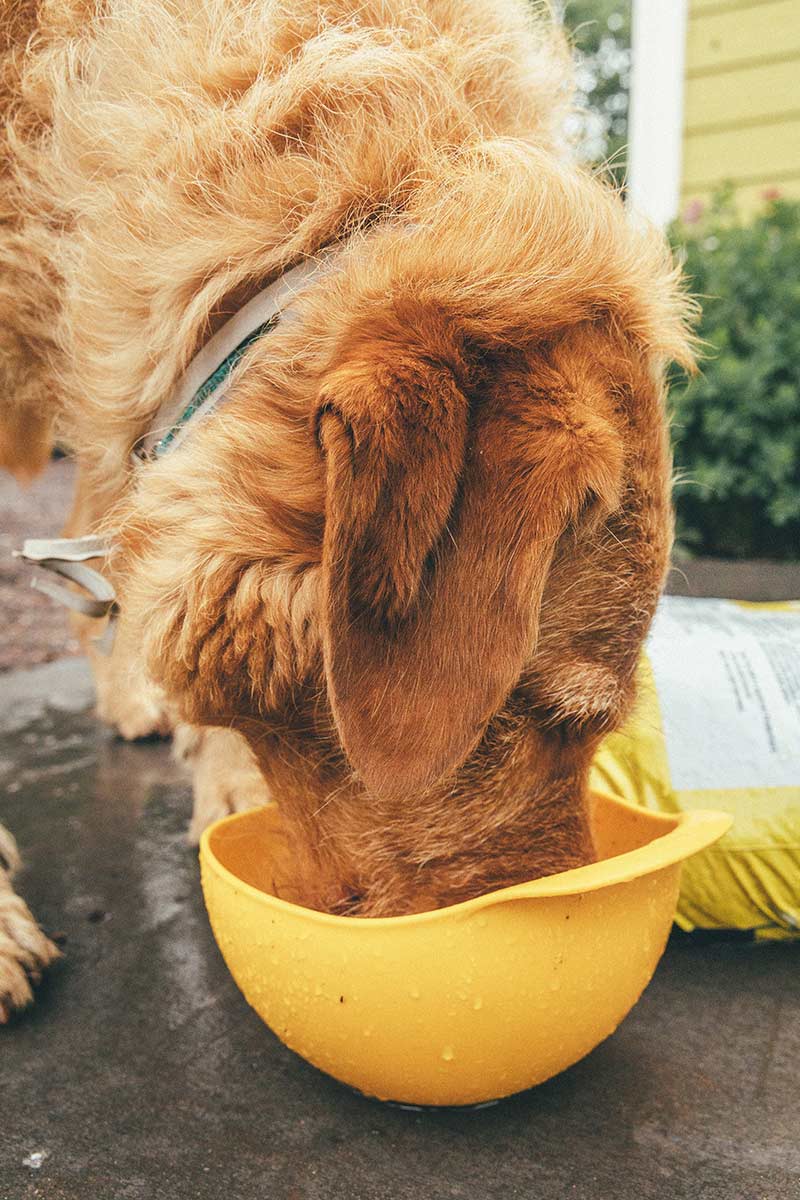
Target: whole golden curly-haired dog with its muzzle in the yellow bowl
<point>402,577</point>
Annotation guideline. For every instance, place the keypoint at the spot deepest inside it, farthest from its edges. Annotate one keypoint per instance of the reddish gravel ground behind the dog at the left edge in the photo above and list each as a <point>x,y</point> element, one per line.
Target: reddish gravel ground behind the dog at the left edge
<point>33,629</point>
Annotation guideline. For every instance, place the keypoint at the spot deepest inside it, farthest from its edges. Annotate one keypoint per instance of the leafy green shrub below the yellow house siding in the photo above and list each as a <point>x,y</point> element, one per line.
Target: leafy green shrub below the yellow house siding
<point>737,427</point>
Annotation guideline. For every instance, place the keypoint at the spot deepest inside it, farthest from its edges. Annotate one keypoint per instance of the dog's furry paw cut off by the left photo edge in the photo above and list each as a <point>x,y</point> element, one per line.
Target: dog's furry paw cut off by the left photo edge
<point>25,950</point>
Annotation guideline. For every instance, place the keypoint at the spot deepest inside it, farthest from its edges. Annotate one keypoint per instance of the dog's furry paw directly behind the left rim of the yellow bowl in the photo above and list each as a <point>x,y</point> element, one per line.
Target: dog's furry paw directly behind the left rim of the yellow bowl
<point>226,776</point>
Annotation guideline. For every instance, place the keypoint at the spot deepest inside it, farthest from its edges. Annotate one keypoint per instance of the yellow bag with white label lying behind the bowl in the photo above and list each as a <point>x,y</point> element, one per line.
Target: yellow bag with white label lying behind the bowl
<point>718,727</point>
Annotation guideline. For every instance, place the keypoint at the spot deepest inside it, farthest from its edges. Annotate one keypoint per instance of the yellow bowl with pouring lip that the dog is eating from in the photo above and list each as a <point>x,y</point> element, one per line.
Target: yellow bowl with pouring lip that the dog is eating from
<point>466,1004</point>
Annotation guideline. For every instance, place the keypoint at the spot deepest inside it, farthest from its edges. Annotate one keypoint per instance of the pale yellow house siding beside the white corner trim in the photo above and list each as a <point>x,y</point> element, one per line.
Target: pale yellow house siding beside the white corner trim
<point>742,99</point>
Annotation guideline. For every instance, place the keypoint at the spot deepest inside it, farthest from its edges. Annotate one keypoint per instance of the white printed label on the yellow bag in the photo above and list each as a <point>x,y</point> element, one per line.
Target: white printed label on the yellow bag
<point>729,685</point>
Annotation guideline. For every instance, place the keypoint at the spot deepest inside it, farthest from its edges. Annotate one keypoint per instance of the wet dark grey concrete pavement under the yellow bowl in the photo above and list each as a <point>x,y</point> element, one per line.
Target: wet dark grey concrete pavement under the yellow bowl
<point>142,1075</point>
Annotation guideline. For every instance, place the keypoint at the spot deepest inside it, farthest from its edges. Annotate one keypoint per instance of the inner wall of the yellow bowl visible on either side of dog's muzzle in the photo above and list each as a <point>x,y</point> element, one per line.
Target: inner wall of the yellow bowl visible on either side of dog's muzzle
<point>252,848</point>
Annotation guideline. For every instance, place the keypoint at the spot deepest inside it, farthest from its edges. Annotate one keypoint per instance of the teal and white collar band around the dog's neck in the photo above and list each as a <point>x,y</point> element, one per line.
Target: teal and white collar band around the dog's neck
<point>207,380</point>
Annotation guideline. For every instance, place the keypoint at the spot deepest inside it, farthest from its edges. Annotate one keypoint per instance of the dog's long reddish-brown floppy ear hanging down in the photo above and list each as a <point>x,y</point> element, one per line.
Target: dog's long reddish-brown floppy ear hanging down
<point>442,519</point>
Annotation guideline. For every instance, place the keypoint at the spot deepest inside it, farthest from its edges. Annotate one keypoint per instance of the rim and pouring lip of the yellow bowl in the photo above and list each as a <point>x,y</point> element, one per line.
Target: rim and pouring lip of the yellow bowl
<point>685,835</point>
